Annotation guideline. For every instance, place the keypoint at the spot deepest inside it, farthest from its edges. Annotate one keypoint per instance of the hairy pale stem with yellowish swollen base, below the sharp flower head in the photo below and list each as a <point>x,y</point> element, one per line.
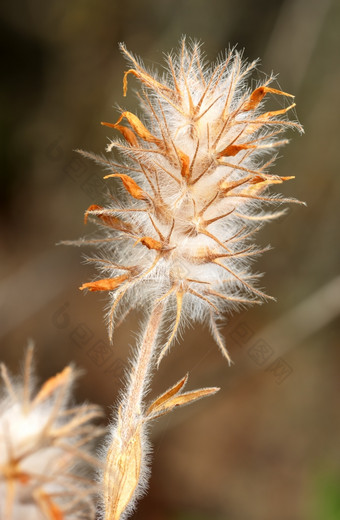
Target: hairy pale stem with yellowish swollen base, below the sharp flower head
<point>125,461</point>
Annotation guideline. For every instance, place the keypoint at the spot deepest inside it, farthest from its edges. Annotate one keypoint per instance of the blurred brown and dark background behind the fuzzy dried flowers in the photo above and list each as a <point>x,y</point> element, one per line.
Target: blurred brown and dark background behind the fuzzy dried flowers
<point>267,446</point>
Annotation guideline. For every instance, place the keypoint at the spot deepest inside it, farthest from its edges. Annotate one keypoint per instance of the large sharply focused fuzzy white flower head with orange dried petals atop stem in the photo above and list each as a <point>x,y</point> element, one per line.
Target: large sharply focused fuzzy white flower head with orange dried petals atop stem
<point>195,183</point>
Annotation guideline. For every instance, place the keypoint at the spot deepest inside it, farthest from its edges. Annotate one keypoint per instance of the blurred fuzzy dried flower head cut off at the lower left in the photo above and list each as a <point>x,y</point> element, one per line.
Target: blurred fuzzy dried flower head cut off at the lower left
<point>43,451</point>
